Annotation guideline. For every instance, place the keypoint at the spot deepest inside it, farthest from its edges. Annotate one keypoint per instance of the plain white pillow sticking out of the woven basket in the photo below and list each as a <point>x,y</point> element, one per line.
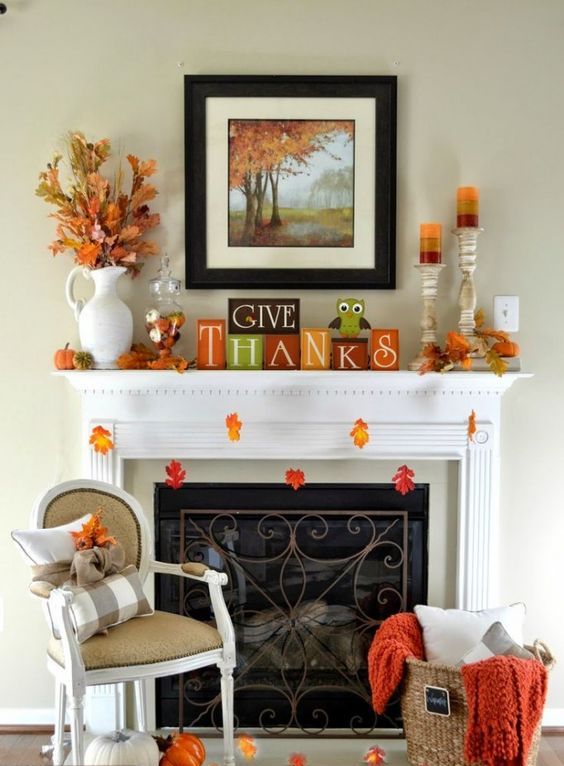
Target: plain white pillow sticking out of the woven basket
<point>449,633</point>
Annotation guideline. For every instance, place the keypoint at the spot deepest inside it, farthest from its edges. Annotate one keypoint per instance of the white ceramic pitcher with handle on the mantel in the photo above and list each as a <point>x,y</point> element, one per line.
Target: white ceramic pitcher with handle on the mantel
<point>105,323</point>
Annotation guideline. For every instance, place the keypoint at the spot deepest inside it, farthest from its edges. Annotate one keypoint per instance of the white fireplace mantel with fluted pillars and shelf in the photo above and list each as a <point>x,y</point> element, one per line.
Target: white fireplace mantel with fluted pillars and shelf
<point>308,415</point>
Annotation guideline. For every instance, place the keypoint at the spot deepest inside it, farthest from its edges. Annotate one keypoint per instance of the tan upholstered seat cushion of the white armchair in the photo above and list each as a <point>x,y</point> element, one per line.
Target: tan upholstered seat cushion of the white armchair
<point>159,637</point>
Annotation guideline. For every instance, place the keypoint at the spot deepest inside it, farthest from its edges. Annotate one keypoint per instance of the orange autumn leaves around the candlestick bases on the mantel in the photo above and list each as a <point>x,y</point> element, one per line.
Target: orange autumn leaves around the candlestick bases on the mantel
<point>490,344</point>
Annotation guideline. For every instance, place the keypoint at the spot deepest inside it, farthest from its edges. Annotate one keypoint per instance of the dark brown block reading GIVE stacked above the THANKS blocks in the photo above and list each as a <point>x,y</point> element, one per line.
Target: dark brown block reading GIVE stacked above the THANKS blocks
<point>264,315</point>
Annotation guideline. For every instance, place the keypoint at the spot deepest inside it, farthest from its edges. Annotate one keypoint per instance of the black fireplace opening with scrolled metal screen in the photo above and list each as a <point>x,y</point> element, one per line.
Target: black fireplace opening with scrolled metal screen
<point>312,574</point>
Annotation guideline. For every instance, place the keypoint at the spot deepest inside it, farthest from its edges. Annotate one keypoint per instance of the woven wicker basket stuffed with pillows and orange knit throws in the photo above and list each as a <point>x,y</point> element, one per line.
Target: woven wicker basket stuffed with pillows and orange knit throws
<point>436,740</point>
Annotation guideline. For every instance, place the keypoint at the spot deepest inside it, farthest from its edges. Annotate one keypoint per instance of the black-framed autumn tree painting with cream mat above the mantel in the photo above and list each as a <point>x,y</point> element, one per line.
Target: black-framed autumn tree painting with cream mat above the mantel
<point>290,181</point>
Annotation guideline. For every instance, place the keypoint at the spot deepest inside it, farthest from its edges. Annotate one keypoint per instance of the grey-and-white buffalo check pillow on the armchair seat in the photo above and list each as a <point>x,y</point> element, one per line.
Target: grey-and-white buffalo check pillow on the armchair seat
<point>108,602</point>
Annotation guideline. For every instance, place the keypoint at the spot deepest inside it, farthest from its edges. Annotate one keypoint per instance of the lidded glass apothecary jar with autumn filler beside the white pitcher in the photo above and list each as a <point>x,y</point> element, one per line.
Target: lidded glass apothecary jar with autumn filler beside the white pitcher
<point>164,316</point>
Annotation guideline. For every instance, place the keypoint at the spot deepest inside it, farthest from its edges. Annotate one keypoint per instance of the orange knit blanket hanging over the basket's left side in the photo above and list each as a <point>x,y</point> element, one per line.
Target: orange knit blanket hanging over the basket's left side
<point>398,638</point>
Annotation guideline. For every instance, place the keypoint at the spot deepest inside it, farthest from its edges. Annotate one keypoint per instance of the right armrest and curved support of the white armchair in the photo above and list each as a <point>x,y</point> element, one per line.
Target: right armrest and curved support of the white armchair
<point>214,580</point>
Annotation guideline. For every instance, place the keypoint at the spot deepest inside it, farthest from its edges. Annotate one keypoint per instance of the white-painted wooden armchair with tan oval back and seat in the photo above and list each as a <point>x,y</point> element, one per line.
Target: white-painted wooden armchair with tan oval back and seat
<point>147,647</point>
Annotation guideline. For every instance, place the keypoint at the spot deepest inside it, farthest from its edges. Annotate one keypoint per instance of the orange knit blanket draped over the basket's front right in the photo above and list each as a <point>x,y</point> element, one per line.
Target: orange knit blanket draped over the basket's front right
<point>505,697</point>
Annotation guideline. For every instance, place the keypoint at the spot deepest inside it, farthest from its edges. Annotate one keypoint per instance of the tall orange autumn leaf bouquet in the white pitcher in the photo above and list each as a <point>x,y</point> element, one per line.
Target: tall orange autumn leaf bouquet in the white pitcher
<point>96,219</point>
